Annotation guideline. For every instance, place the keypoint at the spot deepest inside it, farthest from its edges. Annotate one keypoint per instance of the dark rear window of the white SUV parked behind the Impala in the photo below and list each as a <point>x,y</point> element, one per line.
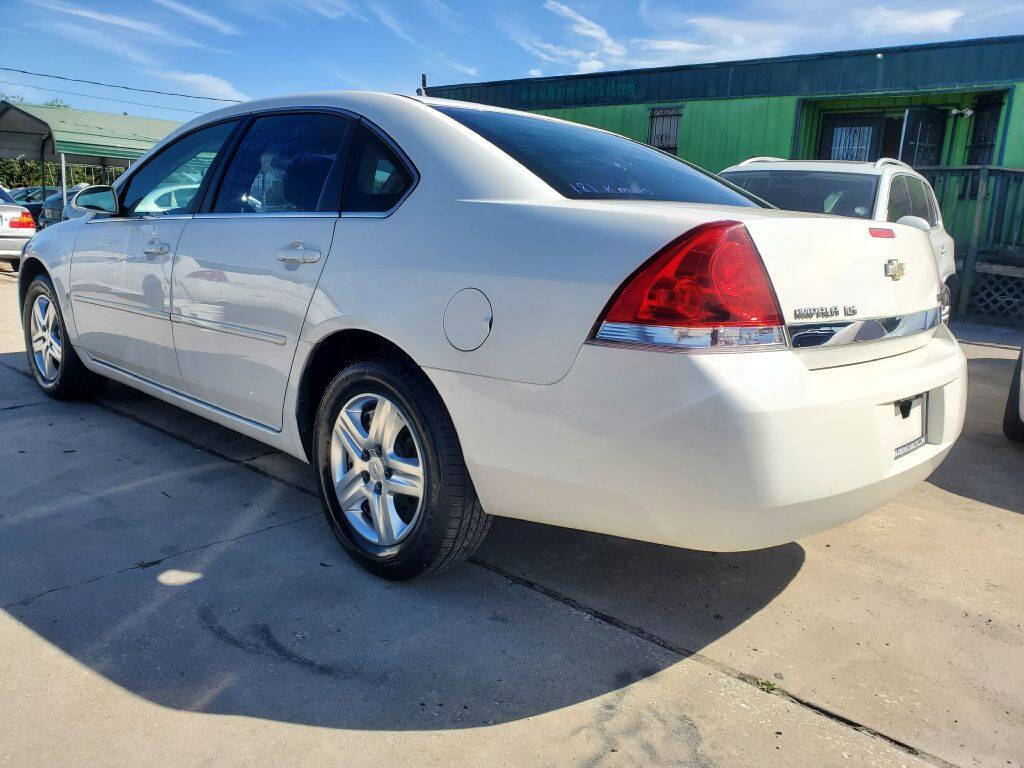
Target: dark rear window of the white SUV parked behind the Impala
<point>816,192</point>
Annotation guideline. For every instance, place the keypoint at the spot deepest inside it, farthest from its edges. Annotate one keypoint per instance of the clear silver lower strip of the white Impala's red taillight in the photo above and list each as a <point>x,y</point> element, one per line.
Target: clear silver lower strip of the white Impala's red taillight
<point>670,338</point>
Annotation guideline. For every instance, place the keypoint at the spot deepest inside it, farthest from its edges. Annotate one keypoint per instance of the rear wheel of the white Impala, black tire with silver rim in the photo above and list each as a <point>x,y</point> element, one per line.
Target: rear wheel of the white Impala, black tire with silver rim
<point>448,523</point>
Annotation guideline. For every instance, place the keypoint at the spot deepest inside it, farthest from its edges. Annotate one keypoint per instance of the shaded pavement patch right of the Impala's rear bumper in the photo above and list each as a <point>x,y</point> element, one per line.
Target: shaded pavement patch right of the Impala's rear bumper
<point>985,465</point>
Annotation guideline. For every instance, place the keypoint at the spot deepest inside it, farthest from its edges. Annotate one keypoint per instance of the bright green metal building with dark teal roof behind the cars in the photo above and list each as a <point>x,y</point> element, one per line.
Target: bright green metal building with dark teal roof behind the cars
<point>955,111</point>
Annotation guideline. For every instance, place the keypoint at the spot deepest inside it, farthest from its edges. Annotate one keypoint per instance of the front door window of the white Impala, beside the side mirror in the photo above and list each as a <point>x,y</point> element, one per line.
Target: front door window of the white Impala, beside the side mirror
<point>182,165</point>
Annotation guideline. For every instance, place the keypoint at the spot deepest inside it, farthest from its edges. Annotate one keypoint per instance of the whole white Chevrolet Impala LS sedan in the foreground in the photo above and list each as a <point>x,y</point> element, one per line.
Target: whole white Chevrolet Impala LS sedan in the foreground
<point>454,312</point>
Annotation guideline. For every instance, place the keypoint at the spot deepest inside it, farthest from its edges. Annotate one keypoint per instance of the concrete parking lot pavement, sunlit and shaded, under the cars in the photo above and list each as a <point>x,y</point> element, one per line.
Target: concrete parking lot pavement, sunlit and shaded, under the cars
<point>173,594</point>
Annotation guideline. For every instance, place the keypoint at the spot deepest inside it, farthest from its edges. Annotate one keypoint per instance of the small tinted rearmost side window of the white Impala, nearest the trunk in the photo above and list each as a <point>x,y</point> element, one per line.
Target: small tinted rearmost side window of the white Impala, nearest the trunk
<point>377,179</point>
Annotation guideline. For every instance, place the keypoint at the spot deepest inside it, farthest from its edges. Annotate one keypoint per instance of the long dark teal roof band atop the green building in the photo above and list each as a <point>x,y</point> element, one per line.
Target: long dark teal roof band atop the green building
<point>958,65</point>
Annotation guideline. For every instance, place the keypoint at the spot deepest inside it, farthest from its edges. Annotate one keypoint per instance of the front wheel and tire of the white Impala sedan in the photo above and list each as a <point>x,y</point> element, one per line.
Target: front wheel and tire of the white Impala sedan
<point>67,379</point>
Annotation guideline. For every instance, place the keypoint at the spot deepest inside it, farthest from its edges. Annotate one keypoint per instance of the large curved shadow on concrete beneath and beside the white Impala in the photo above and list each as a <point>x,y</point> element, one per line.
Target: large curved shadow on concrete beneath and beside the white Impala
<point>201,585</point>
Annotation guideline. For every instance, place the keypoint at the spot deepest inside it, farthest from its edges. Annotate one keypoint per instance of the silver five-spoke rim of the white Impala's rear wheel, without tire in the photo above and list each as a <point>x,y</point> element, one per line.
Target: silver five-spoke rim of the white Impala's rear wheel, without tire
<point>377,470</point>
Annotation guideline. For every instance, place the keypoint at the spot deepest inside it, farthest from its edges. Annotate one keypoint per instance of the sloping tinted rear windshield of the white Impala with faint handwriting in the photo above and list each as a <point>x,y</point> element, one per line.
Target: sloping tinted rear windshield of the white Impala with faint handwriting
<point>585,164</point>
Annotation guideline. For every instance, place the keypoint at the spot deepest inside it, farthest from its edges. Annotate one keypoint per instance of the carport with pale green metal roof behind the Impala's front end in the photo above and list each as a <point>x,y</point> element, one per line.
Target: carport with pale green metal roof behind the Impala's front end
<point>53,134</point>
